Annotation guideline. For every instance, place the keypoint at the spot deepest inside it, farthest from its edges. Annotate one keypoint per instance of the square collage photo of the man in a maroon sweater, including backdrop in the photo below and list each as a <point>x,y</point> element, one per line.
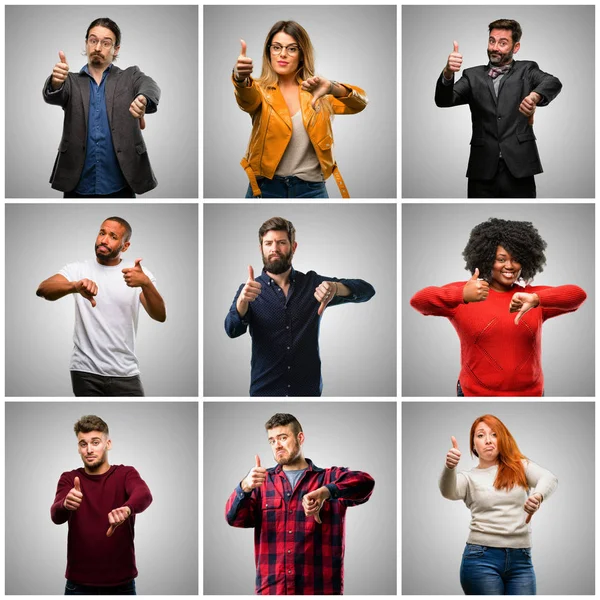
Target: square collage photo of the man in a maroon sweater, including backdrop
<point>139,479</point>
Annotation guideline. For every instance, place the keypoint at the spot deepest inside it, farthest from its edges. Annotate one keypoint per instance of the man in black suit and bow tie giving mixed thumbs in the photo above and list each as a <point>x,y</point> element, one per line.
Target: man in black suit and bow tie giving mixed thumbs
<point>502,96</point>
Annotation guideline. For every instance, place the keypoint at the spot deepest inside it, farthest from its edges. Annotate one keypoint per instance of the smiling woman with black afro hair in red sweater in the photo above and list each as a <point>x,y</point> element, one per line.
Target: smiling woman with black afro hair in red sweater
<point>500,350</point>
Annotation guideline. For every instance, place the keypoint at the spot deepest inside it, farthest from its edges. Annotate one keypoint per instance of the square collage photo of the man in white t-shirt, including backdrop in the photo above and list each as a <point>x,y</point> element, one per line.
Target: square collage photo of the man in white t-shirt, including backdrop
<point>132,280</point>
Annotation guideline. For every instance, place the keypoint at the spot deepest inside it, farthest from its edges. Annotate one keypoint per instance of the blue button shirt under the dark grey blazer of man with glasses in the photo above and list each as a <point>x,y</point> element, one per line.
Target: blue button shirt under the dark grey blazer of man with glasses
<point>101,172</point>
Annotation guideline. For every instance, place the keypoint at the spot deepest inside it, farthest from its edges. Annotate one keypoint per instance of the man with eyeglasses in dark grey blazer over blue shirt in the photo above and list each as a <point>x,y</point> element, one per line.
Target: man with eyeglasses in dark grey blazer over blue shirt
<point>102,153</point>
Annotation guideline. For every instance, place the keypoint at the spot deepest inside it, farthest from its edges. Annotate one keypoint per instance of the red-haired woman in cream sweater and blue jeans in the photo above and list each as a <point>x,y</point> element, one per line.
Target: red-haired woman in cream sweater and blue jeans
<point>502,492</point>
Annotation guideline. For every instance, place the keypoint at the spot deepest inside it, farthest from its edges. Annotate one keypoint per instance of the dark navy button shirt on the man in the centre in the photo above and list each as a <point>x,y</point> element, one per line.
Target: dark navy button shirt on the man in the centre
<point>285,332</point>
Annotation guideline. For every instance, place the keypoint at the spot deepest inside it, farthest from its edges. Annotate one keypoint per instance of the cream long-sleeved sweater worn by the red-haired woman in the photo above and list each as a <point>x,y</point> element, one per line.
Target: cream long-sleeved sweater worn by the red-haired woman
<point>497,516</point>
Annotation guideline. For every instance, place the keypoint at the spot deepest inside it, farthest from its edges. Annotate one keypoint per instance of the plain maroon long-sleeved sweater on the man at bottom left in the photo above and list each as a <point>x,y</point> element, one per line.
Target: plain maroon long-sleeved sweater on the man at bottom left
<point>92,557</point>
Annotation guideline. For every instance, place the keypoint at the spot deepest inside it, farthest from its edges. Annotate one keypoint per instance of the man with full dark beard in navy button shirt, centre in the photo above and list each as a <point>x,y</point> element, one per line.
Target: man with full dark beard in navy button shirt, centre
<point>283,309</point>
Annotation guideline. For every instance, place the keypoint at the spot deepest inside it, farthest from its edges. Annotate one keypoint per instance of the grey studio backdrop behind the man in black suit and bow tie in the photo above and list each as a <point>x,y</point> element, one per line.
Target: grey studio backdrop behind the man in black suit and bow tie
<point>435,141</point>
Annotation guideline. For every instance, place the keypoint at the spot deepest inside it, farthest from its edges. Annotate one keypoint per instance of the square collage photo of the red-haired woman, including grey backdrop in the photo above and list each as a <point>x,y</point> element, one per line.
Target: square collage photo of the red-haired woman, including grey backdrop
<point>526,472</point>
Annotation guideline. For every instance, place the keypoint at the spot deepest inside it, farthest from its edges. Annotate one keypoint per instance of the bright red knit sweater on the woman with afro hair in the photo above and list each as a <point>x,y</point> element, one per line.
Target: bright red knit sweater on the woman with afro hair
<point>497,357</point>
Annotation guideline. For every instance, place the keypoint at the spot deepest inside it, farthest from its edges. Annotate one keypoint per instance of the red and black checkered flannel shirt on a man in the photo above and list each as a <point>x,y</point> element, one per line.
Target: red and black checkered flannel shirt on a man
<point>293,553</point>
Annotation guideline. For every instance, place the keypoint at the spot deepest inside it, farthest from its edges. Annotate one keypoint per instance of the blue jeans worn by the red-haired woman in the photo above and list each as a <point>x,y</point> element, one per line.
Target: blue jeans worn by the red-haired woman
<point>486,571</point>
